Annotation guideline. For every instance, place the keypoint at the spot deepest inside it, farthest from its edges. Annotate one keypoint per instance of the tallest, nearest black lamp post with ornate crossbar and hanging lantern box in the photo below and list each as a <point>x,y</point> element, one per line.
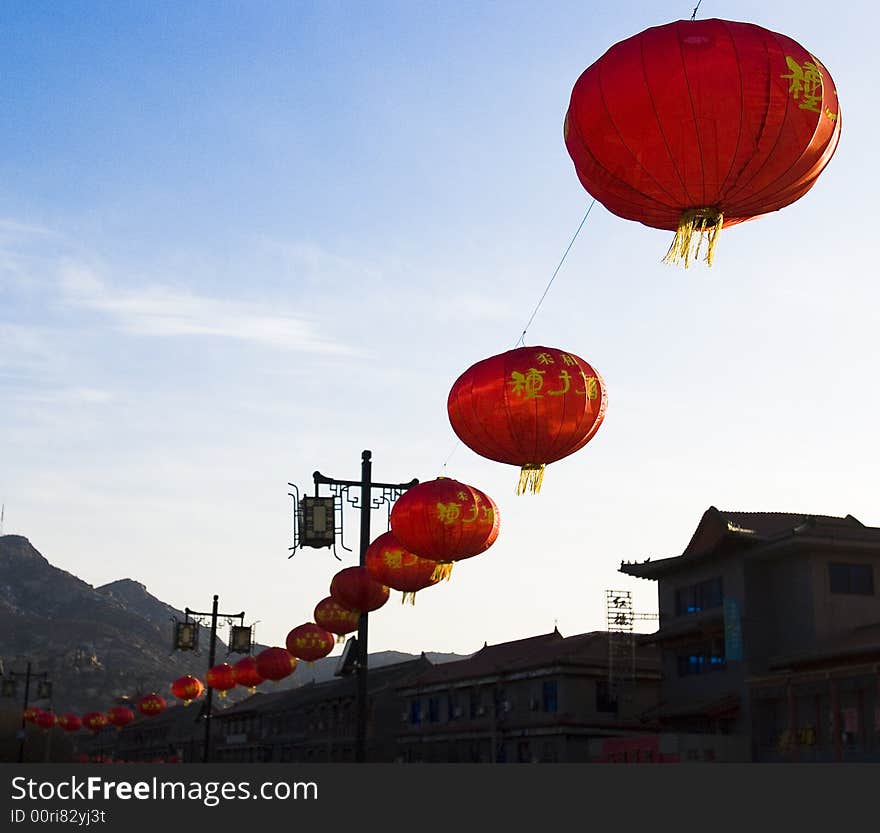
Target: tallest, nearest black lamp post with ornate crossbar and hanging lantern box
<point>365,502</point>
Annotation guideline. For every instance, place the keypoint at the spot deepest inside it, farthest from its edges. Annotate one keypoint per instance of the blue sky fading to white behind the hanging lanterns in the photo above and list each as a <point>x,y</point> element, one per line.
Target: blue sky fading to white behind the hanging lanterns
<point>240,242</point>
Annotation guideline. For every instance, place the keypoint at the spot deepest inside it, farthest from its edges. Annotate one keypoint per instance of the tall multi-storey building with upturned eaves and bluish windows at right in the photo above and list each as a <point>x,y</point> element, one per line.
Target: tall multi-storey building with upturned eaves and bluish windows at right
<point>770,631</point>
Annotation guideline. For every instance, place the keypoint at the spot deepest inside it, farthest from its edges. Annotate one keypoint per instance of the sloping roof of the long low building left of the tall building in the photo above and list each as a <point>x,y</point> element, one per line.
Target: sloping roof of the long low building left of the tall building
<point>587,649</point>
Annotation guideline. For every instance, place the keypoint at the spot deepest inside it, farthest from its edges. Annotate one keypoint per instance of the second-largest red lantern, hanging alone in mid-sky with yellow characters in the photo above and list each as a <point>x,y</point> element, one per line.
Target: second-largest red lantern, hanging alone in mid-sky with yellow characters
<point>527,407</point>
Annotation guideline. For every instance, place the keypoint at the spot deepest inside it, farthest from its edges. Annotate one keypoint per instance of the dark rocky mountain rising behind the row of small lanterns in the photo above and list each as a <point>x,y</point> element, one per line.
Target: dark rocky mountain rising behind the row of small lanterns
<point>99,644</point>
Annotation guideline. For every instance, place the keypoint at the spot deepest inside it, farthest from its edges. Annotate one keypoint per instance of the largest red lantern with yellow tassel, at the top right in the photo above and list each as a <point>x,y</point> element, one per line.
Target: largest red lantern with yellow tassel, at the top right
<point>695,124</point>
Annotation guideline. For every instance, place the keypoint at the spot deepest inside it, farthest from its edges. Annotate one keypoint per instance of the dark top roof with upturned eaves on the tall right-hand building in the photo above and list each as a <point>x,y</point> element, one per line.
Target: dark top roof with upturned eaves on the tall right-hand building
<point>722,532</point>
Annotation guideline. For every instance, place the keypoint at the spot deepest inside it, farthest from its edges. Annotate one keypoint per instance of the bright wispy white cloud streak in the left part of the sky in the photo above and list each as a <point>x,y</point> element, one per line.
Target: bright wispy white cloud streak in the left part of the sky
<point>161,311</point>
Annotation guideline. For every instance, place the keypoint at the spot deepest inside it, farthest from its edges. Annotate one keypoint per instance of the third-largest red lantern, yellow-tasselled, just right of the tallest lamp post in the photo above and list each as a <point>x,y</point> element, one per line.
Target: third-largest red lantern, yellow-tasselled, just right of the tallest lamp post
<point>445,521</point>
